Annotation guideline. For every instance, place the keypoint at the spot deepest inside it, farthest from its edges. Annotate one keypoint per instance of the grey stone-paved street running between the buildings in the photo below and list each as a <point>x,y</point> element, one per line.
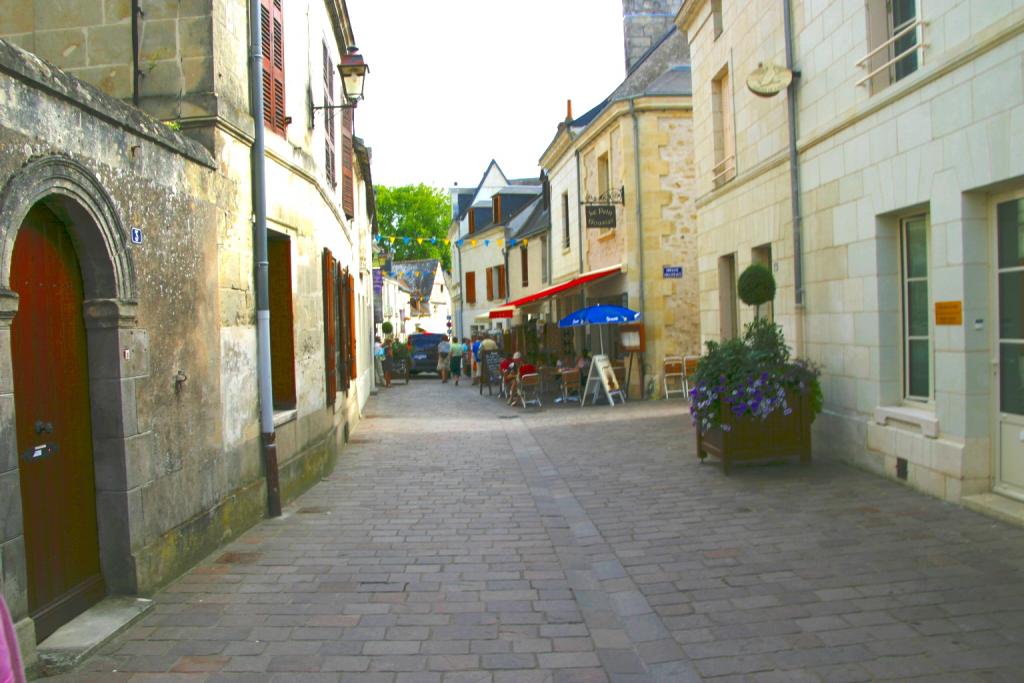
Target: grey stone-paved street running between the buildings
<point>460,541</point>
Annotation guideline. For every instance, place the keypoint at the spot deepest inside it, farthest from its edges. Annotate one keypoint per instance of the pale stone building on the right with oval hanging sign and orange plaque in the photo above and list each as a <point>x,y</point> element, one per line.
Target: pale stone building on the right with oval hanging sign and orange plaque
<point>910,150</point>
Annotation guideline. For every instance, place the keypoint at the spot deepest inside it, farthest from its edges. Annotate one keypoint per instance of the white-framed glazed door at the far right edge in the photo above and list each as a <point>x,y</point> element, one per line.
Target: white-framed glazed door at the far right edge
<point>1010,348</point>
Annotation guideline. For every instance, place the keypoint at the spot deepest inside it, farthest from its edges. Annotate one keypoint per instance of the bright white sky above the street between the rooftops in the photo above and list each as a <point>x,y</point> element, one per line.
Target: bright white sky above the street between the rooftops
<point>456,83</point>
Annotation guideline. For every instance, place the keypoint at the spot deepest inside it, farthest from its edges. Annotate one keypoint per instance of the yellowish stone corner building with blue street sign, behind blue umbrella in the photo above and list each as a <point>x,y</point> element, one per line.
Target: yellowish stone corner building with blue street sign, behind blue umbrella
<point>636,162</point>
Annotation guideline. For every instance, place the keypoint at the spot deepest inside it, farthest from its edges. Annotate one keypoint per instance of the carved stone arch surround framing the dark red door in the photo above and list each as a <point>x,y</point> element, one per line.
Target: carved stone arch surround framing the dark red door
<point>94,223</point>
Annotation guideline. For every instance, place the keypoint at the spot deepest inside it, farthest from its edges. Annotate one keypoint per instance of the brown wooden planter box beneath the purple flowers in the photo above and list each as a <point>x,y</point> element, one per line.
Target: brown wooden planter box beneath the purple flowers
<point>753,439</point>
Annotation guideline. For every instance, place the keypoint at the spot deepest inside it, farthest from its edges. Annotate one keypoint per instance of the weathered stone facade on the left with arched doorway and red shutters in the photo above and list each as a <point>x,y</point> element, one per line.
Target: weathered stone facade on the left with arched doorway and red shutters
<point>159,225</point>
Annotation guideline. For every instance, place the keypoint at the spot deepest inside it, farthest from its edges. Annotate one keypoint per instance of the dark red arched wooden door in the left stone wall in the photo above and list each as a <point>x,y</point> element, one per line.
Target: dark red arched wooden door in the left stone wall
<point>55,432</point>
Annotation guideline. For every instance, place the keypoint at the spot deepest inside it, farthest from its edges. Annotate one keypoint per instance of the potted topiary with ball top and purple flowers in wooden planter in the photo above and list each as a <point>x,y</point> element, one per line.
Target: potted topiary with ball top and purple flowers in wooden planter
<point>750,401</point>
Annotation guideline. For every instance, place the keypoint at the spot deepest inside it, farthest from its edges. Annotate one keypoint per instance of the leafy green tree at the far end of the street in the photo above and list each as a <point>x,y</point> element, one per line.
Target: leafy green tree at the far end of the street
<point>414,216</point>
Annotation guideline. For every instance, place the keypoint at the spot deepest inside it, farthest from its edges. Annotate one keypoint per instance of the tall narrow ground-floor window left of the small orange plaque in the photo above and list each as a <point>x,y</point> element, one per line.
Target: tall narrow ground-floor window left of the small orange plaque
<point>917,309</point>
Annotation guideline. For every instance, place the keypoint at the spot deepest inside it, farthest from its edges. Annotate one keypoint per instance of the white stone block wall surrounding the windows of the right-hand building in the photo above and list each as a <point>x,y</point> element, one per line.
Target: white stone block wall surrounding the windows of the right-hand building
<point>943,142</point>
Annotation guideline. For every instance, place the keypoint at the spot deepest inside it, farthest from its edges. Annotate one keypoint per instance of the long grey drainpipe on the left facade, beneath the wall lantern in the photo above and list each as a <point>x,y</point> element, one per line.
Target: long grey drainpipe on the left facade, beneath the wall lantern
<point>268,438</point>
